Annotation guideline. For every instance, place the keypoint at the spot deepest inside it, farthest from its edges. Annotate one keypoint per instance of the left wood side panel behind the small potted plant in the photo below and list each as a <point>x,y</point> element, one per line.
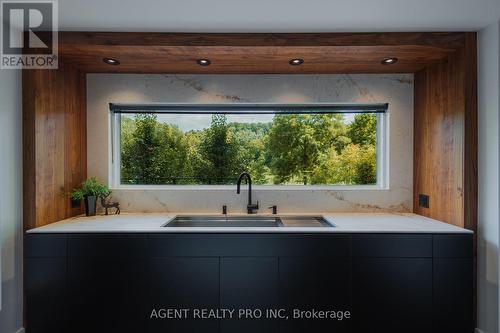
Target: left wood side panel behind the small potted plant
<point>55,142</point>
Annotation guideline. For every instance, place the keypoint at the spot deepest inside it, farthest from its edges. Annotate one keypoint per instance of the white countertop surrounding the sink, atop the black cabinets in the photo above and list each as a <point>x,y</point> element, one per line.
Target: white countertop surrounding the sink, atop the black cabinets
<point>342,222</point>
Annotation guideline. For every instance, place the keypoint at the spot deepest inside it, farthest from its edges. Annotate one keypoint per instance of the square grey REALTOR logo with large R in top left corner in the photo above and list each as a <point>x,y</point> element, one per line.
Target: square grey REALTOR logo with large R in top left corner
<point>29,34</point>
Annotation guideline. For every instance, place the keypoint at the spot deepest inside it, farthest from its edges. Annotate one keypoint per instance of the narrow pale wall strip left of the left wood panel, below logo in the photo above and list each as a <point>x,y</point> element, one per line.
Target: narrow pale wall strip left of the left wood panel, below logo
<point>10,201</point>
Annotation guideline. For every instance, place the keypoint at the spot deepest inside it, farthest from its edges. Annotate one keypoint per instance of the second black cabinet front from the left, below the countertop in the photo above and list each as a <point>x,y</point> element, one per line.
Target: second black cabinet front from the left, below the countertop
<point>106,282</point>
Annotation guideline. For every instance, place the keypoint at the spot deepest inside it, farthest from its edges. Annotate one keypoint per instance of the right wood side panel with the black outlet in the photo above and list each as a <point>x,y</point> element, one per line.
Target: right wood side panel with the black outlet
<point>445,137</point>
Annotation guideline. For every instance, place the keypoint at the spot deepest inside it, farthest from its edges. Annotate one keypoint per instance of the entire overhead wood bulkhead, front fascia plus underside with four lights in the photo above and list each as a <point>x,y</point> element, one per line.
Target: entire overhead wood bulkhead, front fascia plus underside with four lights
<point>255,53</point>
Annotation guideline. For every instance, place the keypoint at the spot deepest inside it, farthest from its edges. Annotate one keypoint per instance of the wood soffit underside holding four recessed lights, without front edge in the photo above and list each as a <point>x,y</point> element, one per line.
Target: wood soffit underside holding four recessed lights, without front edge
<point>339,59</point>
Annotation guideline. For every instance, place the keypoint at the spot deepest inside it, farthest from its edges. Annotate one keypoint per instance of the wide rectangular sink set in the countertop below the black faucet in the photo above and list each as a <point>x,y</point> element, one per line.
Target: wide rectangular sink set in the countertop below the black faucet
<point>222,221</point>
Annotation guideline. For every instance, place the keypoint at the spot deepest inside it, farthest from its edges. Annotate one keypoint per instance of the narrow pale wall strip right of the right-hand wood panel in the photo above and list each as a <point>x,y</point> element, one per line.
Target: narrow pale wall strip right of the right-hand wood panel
<point>488,171</point>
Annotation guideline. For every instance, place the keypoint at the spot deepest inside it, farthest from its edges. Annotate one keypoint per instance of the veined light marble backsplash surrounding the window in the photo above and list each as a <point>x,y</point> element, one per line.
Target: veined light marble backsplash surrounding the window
<point>397,90</point>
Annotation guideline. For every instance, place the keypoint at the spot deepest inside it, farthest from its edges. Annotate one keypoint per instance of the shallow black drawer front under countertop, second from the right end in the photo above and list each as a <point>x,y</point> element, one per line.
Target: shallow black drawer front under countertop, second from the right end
<point>392,245</point>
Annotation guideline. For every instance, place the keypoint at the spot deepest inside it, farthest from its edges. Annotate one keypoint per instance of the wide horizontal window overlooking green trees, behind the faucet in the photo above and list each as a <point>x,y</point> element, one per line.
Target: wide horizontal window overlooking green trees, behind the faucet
<point>277,144</point>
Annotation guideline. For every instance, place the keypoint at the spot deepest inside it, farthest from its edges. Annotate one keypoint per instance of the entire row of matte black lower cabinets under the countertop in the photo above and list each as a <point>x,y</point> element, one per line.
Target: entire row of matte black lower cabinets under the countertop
<point>357,283</point>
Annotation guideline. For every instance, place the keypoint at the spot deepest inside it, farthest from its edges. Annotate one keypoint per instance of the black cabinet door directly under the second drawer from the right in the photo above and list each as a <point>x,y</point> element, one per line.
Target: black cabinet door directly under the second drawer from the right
<point>392,295</point>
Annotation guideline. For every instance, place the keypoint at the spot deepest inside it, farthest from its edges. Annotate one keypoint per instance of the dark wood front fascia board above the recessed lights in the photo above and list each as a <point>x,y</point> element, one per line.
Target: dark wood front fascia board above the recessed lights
<point>450,40</point>
